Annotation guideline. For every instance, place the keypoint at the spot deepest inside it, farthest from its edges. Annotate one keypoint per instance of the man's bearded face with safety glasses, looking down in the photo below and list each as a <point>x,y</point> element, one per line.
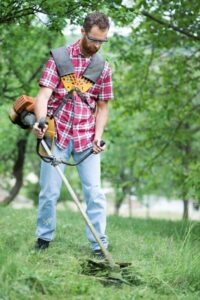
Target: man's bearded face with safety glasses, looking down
<point>91,42</point>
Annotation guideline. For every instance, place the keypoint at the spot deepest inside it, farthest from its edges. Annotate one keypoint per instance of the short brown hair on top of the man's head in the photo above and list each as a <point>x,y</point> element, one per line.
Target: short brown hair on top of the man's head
<point>96,18</point>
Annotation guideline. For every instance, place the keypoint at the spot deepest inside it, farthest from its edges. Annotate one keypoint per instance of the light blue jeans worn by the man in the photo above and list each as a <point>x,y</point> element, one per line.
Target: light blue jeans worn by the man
<point>50,186</point>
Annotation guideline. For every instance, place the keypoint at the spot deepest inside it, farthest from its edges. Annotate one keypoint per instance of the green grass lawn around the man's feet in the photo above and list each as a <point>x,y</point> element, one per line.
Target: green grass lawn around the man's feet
<point>165,257</point>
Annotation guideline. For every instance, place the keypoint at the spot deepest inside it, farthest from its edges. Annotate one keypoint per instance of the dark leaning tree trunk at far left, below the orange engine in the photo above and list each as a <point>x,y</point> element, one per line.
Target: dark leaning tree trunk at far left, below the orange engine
<point>17,172</point>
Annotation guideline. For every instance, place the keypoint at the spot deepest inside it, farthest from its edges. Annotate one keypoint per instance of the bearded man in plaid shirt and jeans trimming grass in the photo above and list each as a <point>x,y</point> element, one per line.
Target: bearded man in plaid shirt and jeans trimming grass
<point>77,130</point>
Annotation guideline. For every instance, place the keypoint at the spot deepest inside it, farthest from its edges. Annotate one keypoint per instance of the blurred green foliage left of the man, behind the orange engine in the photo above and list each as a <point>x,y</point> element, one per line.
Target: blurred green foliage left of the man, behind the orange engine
<point>22,62</point>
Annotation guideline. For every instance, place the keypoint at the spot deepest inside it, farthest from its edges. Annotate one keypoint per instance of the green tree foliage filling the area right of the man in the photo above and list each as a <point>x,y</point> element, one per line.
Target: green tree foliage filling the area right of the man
<point>154,123</point>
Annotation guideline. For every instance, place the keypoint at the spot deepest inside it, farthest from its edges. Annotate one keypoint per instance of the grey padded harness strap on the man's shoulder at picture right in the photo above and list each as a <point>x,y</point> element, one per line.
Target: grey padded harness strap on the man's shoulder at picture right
<point>95,68</point>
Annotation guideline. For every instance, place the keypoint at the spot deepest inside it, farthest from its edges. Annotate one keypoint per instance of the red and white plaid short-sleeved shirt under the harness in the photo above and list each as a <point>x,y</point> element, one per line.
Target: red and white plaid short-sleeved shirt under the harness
<point>78,123</point>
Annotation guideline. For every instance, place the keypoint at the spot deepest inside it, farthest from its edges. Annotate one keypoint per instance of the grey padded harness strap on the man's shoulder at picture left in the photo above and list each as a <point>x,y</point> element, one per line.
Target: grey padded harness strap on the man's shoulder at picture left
<point>63,61</point>
